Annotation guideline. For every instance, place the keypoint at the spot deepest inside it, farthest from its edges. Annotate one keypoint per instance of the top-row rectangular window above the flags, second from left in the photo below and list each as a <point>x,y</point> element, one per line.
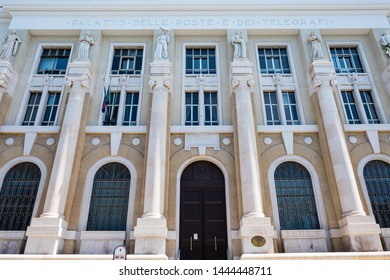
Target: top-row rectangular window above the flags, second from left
<point>127,61</point>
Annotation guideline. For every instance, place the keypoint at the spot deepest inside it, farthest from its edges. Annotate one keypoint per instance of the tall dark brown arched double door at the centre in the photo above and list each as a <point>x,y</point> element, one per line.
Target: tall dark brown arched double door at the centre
<point>203,231</point>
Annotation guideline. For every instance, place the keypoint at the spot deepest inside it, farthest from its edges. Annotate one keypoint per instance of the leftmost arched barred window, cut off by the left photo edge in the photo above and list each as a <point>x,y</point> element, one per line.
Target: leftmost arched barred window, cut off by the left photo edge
<point>17,196</point>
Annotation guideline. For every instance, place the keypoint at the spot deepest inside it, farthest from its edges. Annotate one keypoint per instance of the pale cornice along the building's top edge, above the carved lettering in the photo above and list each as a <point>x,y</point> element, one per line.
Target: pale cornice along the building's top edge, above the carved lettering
<point>174,6</point>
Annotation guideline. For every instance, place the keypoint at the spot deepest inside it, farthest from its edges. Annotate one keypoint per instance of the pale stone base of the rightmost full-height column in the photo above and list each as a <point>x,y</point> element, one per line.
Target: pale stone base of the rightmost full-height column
<point>360,234</point>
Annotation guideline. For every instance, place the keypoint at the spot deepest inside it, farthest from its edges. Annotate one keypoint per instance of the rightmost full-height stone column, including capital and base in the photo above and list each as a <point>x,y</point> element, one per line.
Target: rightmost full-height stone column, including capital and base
<point>359,232</point>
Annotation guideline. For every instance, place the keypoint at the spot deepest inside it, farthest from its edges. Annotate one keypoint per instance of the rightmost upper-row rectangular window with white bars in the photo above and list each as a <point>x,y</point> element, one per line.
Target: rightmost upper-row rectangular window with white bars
<point>346,60</point>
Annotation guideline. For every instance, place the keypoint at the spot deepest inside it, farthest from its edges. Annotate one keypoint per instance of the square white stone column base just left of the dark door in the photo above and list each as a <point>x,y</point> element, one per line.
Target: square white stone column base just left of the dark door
<point>150,236</point>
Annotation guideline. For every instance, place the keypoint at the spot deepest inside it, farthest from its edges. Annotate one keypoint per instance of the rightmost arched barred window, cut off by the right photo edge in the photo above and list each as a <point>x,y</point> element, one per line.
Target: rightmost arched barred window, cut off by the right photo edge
<point>376,175</point>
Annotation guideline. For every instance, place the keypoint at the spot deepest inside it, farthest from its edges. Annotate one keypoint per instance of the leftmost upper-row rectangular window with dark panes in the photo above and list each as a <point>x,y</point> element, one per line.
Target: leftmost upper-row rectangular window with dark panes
<point>54,61</point>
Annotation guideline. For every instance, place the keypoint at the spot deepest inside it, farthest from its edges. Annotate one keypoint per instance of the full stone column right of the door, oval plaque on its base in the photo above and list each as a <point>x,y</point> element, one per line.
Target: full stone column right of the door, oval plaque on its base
<point>254,224</point>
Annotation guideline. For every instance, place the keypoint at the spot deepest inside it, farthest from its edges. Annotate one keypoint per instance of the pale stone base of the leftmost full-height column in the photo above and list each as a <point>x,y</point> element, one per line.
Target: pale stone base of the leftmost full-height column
<point>46,236</point>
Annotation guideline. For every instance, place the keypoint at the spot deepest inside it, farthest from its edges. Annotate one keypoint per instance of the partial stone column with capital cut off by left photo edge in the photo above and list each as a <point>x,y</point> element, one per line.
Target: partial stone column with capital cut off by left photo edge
<point>8,80</point>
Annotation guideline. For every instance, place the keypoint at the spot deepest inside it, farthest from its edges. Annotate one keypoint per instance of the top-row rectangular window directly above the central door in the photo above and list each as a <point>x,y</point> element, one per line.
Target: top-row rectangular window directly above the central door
<point>200,61</point>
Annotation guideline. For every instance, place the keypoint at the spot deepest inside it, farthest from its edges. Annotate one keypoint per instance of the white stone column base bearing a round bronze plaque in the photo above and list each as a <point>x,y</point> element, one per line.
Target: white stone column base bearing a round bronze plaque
<point>256,235</point>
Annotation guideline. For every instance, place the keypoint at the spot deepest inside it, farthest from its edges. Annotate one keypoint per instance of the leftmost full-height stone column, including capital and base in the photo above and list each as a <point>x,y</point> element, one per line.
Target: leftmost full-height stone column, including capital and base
<point>46,233</point>
